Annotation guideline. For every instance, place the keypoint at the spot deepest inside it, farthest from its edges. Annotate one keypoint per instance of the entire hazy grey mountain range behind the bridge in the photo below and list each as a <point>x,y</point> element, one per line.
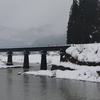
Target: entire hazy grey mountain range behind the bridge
<point>32,36</point>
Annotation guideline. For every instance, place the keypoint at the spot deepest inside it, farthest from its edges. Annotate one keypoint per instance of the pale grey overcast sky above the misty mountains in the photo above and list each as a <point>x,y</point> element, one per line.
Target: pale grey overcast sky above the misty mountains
<point>25,14</point>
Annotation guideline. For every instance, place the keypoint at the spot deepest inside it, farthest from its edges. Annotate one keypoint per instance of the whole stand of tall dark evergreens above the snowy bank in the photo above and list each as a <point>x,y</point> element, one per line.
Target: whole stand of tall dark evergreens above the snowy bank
<point>84,22</point>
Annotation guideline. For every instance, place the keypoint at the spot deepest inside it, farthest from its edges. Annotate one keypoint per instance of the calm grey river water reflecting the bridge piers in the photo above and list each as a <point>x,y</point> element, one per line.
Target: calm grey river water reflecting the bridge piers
<point>29,87</point>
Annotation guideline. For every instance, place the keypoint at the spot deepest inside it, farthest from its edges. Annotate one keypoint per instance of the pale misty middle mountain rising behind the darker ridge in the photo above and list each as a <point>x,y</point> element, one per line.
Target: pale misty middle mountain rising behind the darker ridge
<point>30,35</point>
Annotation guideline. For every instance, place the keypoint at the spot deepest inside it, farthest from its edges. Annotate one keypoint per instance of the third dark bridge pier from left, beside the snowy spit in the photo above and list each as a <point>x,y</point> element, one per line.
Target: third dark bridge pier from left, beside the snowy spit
<point>43,60</point>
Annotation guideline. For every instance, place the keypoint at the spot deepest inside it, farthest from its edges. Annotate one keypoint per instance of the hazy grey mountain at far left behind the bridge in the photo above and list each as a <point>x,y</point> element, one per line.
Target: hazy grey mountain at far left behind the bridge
<point>7,37</point>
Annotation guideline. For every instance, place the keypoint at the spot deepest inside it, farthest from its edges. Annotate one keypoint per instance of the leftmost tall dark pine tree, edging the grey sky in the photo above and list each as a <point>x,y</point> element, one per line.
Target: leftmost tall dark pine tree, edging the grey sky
<point>72,24</point>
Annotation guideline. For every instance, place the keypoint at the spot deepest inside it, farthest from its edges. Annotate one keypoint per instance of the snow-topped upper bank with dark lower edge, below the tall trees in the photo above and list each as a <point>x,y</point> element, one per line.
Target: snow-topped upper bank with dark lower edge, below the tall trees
<point>84,54</point>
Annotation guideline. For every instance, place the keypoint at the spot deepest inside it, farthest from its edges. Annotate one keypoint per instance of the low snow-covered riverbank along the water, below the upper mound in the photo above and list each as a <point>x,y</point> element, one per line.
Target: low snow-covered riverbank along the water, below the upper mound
<point>82,73</point>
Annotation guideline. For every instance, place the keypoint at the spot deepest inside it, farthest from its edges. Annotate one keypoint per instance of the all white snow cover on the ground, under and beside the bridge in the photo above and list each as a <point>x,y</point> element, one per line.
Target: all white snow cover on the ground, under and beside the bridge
<point>86,52</point>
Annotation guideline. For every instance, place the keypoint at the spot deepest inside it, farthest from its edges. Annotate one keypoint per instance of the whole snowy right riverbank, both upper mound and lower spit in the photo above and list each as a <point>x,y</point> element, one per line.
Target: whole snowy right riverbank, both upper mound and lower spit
<point>88,70</point>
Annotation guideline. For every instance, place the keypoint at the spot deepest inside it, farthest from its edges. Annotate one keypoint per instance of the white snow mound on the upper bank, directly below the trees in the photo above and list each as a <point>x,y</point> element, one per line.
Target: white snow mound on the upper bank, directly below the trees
<point>85,52</point>
